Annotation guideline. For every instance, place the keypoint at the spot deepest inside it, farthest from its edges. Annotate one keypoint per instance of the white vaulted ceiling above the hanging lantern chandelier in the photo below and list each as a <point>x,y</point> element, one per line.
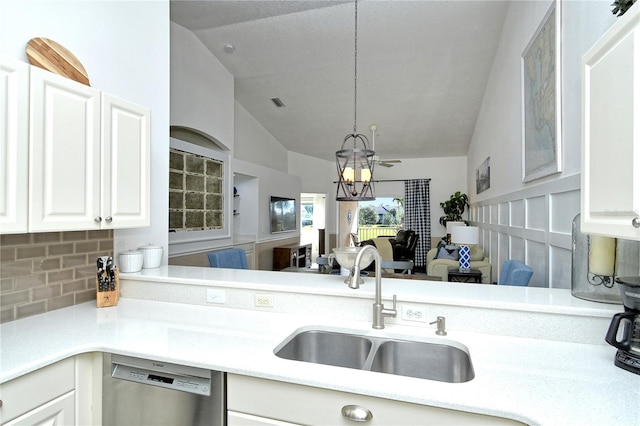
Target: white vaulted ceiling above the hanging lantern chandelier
<point>422,68</point>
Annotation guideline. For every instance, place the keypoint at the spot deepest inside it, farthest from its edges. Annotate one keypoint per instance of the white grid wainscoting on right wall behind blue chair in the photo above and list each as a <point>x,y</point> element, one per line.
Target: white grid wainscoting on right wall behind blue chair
<point>532,225</point>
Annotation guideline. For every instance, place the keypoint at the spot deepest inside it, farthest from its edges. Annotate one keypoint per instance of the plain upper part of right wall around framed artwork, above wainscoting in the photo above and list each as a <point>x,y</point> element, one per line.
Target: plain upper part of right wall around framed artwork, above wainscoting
<point>498,132</point>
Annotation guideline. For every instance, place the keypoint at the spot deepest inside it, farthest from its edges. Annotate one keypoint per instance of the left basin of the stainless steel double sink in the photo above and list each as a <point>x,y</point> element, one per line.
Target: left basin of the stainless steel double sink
<point>323,347</point>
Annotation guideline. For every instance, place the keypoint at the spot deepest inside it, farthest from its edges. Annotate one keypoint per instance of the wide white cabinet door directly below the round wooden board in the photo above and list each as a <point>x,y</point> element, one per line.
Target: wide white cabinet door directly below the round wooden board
<point>64,154</point>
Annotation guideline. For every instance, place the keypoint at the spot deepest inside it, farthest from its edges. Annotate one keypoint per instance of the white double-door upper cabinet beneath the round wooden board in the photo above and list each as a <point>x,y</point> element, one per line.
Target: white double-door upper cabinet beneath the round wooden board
<point>89,158</point>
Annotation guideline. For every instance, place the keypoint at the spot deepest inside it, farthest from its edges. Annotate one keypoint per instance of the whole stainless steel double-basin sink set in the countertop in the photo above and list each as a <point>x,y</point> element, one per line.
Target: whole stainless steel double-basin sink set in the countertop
<point>425,360</point>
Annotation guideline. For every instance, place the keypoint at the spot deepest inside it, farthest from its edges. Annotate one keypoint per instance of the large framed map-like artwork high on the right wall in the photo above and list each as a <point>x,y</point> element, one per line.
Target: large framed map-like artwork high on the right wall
<point>541,99</point>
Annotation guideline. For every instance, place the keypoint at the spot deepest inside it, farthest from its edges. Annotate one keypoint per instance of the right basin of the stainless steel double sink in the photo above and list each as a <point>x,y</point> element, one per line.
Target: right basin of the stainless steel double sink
<point>431,361</point>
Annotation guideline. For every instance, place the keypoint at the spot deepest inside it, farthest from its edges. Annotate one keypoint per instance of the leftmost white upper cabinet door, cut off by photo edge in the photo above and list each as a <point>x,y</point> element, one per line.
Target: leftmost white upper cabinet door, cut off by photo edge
<point>14,145</point>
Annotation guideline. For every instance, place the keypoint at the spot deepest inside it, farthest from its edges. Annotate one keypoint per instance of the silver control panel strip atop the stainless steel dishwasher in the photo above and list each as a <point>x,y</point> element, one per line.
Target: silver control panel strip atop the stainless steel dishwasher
<point>165,375</point>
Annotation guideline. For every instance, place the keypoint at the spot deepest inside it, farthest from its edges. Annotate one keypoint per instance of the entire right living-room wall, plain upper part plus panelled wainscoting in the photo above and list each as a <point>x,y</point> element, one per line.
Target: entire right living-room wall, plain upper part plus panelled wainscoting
<point>532,221</point>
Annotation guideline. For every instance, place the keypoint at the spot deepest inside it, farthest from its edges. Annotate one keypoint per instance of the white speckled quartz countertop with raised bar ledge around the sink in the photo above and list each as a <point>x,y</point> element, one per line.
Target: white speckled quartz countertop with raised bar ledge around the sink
<point>538,354</point>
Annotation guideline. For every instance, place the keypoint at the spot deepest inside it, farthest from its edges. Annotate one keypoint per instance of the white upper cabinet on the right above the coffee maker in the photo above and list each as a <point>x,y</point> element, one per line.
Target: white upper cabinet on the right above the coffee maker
<point>611,132</point>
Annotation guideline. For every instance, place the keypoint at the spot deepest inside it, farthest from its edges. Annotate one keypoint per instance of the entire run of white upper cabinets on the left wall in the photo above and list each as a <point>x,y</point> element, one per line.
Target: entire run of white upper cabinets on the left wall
<point>71,157</point>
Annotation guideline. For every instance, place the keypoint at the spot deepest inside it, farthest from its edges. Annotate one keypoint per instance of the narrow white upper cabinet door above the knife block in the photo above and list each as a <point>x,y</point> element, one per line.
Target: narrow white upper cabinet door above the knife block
<point>126,162</point>
